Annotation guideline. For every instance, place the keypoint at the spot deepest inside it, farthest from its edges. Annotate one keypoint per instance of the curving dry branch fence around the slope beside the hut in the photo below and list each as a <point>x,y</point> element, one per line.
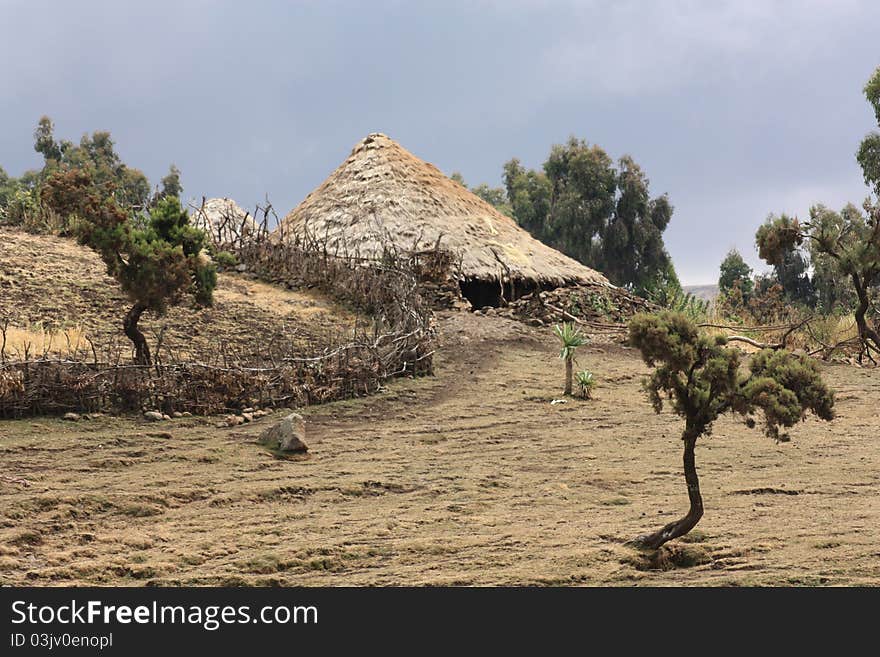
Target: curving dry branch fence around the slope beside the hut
<point>398,341</point>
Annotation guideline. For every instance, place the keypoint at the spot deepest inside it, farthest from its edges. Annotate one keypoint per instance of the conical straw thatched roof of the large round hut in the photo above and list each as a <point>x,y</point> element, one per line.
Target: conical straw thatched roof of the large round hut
<point>383,191</point>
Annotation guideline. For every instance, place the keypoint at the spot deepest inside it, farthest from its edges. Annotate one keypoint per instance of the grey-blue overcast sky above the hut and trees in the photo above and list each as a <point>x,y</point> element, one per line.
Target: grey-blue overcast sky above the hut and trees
<point>735,109</point>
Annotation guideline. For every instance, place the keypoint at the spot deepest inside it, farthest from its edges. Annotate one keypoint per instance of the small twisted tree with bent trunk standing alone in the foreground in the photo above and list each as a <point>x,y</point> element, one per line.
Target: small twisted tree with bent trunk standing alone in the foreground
<point>701,378</point>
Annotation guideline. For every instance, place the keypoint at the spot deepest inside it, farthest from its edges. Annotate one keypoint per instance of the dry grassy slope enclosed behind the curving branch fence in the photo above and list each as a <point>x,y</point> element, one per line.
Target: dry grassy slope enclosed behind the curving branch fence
<point>55,293</point>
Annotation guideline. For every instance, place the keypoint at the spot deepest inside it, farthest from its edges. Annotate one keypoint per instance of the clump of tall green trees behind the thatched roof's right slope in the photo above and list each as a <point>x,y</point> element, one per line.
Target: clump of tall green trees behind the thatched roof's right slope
<point>594,210</point>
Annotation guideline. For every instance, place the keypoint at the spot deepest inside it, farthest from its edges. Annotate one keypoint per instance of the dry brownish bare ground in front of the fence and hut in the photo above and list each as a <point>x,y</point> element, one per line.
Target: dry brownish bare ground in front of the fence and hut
<point>470,477</point>
